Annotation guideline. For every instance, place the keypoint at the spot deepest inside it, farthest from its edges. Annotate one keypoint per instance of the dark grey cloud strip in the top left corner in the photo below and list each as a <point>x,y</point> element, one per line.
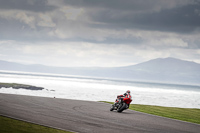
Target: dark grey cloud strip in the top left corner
<point>30,5</point>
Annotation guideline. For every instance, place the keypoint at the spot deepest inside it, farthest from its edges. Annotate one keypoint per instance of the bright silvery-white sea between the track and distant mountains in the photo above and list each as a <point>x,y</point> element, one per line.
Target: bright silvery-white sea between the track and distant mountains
<point>94,89</point>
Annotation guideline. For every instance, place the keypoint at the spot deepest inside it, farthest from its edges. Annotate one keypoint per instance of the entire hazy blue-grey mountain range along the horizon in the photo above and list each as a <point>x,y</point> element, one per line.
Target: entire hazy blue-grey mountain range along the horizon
<point>167,70</point>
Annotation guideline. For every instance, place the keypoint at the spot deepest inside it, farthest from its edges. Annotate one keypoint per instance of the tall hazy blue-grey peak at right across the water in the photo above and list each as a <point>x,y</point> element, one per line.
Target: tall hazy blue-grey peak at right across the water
<point>167,70</point>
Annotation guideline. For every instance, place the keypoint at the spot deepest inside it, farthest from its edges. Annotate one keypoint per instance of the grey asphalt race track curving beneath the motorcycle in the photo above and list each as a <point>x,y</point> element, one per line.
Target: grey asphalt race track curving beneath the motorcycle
<point>87,116</point>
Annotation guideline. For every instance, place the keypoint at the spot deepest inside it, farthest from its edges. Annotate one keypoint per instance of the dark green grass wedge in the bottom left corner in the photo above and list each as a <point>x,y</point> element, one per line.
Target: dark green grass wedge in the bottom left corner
<point>8,125</point>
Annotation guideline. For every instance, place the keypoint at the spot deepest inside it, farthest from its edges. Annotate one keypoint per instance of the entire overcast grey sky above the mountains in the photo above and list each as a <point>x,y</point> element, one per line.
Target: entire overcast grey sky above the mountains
<point>103,33</point>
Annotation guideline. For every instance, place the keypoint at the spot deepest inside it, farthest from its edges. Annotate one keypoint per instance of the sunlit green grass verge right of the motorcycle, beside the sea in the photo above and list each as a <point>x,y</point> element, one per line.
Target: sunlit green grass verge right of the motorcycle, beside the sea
<point>184,114</point>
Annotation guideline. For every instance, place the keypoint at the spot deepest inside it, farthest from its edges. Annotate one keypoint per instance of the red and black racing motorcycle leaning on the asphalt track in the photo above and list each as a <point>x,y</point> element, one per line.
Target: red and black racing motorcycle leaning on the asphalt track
<point>121,104</point>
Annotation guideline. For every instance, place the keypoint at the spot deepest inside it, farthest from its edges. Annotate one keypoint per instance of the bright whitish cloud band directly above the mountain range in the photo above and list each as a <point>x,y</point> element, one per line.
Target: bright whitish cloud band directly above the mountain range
<point>89,54</point>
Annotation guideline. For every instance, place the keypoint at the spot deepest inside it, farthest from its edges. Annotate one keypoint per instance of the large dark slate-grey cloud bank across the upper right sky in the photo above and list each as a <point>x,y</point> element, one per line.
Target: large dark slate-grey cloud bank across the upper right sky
<point>181,19</point>
